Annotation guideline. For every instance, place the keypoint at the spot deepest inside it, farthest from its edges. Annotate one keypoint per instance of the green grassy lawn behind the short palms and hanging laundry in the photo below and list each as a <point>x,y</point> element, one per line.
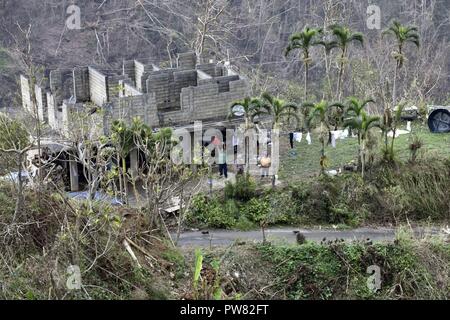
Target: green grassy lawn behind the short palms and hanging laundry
<point>306,161</point>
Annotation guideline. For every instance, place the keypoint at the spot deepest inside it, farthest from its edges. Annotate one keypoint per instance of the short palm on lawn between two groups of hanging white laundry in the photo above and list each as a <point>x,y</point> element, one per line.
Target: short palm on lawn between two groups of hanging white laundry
<point>320,111</point>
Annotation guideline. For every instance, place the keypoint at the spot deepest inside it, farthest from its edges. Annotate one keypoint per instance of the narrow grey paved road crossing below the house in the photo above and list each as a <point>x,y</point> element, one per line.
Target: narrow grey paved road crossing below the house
<point>287,235</point>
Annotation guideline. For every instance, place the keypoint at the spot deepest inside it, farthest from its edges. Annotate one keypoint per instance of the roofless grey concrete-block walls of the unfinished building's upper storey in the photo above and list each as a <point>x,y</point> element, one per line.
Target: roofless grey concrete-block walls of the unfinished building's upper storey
<point>173,97</point>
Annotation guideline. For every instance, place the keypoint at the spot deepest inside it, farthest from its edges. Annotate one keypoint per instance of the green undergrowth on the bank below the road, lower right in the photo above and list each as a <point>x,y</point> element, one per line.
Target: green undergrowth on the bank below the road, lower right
<point>410,269</point>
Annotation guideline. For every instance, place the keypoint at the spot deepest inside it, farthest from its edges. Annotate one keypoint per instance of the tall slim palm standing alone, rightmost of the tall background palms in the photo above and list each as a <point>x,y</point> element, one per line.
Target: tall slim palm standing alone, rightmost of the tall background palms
<point>403,35</point>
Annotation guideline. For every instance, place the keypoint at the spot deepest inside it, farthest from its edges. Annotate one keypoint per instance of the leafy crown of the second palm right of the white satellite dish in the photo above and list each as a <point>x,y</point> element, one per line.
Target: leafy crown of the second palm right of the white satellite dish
<point>278,109</point>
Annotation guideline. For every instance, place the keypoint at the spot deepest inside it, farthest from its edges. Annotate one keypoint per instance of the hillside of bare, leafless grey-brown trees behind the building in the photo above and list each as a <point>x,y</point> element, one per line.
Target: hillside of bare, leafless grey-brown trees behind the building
<point>251,33</point>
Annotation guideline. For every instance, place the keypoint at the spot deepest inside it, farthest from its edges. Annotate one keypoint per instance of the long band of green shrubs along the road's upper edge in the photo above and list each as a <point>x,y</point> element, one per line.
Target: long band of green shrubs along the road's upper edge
<point>390,193</point>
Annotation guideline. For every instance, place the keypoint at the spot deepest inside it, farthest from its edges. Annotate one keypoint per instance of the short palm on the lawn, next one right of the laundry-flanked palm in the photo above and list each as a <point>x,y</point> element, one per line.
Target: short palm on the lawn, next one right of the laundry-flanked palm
<point>362,123</point>
